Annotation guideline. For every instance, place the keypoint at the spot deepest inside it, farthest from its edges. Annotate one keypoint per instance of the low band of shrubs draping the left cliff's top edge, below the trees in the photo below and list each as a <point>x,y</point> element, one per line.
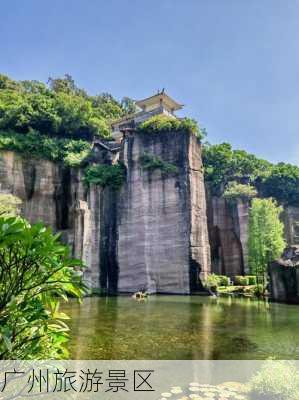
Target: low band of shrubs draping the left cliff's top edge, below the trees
<point>71,152</point>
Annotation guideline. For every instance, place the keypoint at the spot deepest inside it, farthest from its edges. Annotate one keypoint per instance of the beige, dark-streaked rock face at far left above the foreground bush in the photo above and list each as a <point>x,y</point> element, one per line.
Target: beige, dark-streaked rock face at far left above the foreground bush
<point>39,184</point>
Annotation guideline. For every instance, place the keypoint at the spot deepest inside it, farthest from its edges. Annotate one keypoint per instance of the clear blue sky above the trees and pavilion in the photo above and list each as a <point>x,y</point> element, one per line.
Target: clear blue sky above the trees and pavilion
<point>233,63</point>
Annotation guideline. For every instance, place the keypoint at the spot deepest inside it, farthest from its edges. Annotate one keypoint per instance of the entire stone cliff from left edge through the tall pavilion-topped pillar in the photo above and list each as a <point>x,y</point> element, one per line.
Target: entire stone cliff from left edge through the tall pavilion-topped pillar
<point>151,234</point>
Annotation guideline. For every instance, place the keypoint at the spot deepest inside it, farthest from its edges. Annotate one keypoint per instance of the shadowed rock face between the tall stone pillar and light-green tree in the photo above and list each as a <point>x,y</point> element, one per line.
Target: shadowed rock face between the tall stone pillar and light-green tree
<point>228,224</point>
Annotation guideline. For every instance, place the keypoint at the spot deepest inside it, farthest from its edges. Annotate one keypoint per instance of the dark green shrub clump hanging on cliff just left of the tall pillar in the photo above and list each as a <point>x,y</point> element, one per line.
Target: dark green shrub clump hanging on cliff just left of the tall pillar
<point>105,175</point>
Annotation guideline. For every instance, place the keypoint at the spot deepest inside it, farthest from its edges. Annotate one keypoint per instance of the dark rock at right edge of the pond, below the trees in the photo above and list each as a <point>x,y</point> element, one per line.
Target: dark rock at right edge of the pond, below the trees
<point>284,277</point>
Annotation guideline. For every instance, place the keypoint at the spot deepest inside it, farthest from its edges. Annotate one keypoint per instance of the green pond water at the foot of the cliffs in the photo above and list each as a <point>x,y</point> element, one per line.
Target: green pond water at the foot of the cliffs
<point>182,327</point>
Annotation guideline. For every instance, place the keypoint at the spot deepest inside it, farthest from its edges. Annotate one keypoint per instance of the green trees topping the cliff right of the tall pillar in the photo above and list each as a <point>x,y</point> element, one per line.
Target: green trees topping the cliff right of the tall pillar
<point>223,165</point>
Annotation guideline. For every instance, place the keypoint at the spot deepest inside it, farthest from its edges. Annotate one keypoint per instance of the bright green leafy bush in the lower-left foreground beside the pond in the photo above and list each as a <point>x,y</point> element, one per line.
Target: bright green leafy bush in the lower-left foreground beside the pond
<point>35,273</point>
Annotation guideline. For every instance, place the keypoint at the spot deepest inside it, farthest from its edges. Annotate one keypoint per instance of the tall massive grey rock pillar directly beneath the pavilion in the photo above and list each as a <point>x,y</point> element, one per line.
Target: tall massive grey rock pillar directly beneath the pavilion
<point>162,230</point>
